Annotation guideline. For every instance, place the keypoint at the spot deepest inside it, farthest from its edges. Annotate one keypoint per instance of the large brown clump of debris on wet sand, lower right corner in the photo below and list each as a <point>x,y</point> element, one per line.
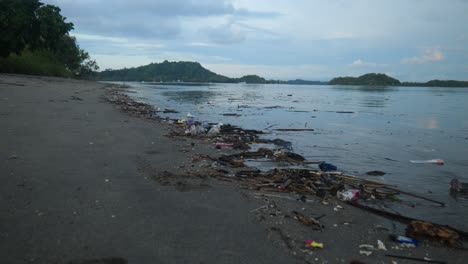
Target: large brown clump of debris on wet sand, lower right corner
<point>422,229</point>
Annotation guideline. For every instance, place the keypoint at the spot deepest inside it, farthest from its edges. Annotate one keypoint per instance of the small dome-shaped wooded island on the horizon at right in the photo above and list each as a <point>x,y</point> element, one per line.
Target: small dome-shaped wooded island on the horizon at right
<point>366,79</point>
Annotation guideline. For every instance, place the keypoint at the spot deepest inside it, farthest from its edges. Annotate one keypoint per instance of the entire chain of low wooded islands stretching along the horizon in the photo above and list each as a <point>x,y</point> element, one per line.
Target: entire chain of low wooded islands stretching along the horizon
<point>194,72</point>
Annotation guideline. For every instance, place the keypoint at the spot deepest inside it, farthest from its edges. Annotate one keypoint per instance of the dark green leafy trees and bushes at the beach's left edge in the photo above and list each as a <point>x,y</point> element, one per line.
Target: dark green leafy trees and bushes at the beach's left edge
<point>35,40</point>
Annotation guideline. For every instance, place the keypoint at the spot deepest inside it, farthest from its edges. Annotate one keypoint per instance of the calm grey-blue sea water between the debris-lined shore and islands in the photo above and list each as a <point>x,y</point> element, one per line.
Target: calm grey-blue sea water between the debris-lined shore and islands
<point>379,128</point>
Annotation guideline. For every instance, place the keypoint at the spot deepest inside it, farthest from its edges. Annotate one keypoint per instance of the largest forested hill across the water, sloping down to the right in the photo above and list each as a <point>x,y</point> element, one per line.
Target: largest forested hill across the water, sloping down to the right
<point>182,71</point>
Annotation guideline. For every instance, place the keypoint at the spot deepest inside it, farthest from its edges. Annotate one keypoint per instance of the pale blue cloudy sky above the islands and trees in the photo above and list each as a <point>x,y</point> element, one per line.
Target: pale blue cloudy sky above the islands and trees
<point>417,40</point>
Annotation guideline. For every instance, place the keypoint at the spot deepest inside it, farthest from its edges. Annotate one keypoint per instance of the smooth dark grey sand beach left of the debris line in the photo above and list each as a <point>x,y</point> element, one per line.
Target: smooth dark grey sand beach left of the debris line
<point>82,182</point>
